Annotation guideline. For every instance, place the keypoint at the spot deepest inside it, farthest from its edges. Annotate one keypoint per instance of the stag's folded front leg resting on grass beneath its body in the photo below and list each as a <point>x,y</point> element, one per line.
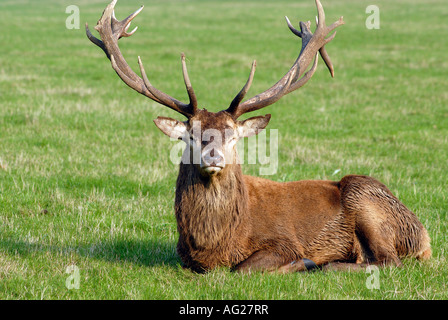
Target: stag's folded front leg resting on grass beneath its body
<point>270,262</point>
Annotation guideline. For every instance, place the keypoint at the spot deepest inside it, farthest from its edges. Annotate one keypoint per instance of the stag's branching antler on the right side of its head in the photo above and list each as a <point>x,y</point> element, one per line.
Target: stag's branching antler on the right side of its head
<point>311,45</point>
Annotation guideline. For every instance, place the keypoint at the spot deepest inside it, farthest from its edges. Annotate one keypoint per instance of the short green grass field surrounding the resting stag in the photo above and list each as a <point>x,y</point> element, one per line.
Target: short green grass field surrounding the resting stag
<point>85,176</point>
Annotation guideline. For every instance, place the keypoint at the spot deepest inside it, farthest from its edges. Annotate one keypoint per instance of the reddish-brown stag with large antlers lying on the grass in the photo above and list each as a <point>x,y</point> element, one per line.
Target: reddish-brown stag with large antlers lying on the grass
<point>225,218</point>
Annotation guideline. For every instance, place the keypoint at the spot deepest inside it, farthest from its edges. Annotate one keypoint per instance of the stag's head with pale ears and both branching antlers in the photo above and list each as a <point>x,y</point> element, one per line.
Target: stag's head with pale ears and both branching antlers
<point>212,136</point>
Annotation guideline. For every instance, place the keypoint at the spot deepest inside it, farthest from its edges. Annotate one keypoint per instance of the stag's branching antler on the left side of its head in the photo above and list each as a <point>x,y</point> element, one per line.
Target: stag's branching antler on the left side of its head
<point>110,30</point>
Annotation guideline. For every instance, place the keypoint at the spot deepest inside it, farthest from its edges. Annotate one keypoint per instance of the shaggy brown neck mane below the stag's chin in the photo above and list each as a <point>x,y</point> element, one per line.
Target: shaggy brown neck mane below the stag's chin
<point>208,210</point>
